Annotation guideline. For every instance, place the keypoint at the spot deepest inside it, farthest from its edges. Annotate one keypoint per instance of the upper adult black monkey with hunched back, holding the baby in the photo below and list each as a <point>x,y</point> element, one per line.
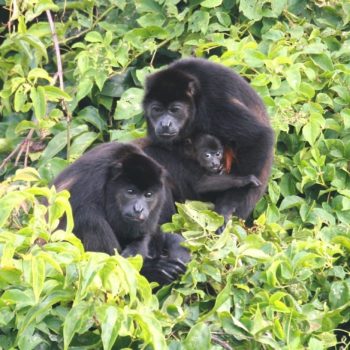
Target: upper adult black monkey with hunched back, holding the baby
<point>199,96</point>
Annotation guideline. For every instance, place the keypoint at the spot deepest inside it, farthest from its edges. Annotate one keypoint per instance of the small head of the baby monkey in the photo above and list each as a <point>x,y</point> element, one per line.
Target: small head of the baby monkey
<point>208,152</point>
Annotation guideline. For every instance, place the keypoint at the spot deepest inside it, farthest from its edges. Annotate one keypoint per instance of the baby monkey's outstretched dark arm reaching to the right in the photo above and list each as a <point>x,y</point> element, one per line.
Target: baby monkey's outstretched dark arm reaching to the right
<point>217,183</point>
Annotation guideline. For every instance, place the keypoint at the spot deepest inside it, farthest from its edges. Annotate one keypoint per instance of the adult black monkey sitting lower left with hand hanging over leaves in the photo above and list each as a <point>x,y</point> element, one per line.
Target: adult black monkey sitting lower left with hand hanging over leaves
<point>117,193</point>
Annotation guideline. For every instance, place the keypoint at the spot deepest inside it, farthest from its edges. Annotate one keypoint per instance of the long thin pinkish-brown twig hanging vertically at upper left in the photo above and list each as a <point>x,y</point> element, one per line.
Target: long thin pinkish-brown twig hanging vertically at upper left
<point>60,75</point>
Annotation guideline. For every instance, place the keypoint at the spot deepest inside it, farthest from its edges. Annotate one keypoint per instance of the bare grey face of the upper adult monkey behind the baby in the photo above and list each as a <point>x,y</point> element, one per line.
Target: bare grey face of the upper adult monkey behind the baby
<point>168,120</point>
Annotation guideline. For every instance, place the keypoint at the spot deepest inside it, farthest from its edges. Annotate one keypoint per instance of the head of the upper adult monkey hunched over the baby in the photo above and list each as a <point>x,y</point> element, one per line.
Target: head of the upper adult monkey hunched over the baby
<point>170,105</point>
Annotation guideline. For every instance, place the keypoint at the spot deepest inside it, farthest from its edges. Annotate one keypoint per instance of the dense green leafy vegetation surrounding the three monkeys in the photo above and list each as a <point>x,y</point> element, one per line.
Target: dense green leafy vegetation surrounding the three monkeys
<point>283,283</point>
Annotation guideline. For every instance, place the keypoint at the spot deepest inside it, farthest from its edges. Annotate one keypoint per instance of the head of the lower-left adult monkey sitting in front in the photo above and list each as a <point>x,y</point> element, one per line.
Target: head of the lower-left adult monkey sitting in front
<point>138,184</point>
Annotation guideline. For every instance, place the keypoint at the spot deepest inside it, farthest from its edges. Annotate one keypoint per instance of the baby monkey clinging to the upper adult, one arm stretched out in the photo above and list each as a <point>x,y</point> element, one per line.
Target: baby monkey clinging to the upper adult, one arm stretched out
<point>208,152</point>
